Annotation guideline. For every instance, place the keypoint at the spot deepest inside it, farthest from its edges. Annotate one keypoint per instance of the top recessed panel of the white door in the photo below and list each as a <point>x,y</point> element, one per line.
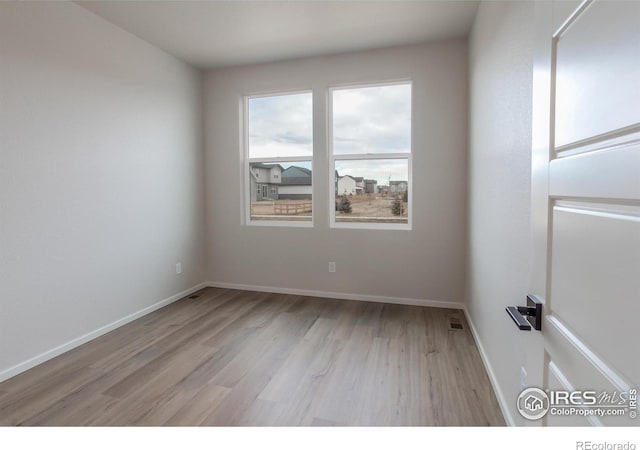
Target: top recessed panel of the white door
<point>597,72</point>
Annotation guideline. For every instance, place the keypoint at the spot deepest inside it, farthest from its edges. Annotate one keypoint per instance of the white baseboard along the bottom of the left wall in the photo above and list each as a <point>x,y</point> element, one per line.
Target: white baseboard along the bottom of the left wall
<point>50,354</point>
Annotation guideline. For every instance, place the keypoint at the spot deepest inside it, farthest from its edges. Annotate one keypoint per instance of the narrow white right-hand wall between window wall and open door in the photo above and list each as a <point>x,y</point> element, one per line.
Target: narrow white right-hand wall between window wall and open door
<point>498,263</point>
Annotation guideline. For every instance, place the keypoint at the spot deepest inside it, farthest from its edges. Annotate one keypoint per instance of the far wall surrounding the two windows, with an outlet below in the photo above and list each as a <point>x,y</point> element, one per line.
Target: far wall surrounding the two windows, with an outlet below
<point>431,255</point>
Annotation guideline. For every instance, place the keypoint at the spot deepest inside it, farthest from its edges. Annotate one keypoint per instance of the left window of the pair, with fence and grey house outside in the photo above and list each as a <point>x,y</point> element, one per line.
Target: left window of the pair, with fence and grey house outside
<point>279,152</point>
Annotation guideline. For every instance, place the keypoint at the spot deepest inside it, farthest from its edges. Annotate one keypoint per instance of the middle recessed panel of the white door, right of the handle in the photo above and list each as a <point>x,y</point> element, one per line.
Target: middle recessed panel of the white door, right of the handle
<point>595,282</point>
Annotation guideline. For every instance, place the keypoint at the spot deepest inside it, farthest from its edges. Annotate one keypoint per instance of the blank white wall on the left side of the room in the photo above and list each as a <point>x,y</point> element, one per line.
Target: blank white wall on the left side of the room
<point>101,187</point>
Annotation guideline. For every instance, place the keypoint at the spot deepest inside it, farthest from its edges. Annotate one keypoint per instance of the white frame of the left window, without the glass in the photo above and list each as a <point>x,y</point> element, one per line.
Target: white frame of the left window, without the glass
<point>245,166</point>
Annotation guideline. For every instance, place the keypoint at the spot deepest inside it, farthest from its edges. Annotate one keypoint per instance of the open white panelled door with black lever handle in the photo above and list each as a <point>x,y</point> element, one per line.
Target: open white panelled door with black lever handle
<point>586,206</point>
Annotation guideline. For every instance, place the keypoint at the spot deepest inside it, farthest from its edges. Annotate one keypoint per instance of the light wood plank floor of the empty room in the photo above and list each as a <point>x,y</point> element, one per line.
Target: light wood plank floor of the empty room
<point>232,357</point>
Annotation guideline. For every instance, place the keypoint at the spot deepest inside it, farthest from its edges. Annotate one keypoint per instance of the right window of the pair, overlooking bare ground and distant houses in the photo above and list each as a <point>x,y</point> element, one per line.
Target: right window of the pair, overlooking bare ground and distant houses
<point>370,156</point>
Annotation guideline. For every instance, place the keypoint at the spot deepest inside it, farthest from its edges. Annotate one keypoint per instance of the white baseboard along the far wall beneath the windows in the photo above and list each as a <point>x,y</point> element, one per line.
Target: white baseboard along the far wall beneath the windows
<point>338,295</point>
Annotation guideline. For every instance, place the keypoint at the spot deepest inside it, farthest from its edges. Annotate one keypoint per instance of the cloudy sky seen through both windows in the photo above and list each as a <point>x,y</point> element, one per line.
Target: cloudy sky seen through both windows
<point>369,120</point>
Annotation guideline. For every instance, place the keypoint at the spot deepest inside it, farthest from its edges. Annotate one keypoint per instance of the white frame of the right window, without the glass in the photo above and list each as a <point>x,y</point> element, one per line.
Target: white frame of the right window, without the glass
<point>332,158</point>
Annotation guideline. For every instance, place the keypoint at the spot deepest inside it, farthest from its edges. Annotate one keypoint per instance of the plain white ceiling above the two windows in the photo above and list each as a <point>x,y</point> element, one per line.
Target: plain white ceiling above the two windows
<point>210,34</point>
